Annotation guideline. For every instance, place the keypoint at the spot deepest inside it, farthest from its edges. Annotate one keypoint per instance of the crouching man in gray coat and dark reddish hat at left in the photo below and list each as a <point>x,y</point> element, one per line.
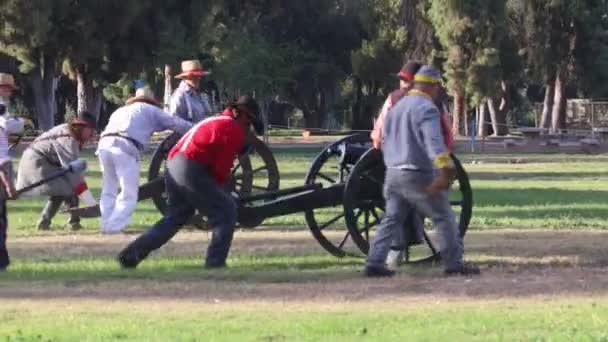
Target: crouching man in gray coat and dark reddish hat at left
<point>47,154</point>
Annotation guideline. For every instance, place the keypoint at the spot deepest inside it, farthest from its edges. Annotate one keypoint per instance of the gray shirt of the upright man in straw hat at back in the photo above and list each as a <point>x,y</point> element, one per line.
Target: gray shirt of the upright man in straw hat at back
<point>188,104</point>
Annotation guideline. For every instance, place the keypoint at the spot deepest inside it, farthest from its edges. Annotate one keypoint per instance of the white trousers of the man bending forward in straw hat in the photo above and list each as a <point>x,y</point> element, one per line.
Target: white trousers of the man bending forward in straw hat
<point>119,169</point>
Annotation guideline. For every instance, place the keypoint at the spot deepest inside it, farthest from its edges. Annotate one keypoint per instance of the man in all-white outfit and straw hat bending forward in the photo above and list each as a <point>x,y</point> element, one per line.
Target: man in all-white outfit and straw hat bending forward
<point>127,133</point>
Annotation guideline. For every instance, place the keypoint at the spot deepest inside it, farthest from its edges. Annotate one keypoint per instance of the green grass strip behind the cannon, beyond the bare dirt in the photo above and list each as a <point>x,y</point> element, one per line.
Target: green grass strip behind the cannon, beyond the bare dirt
<point>548,191</point>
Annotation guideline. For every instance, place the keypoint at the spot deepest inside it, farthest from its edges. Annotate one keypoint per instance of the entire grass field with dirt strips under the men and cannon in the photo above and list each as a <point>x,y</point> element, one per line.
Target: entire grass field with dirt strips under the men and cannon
<point>538,231</point>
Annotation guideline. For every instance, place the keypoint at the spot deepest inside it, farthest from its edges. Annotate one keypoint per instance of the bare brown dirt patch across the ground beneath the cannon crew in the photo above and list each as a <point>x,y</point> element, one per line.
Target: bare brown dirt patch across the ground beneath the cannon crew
<point>515,264</point>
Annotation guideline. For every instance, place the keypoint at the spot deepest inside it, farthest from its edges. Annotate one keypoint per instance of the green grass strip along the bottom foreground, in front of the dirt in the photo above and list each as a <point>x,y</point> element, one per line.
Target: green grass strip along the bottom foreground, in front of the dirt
<point>561,320</point>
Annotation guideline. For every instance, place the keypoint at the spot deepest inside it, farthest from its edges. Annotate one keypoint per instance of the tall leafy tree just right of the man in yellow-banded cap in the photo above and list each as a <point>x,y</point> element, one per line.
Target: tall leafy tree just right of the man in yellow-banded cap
<point>471,32</point>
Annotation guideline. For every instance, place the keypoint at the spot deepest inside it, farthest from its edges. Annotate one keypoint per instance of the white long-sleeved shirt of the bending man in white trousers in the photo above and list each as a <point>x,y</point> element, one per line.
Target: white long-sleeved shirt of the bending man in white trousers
<point>138,121</point>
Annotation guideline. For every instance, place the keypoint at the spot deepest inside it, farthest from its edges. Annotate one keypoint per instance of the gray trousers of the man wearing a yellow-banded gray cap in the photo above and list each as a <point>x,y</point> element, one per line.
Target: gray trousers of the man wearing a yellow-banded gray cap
<point>406,189</point>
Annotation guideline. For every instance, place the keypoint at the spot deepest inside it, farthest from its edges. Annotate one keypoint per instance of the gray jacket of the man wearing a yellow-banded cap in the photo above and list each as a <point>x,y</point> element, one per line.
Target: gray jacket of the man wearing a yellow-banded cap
<point>412,136</point>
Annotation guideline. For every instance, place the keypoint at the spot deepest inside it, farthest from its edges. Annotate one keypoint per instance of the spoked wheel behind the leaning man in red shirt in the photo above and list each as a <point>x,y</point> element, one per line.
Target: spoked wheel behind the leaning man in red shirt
<point>254,171</point>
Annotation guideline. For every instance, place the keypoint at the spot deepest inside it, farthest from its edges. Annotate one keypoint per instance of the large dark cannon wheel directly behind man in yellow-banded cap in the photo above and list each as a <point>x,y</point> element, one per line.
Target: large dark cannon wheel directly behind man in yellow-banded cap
<point>364,203</point>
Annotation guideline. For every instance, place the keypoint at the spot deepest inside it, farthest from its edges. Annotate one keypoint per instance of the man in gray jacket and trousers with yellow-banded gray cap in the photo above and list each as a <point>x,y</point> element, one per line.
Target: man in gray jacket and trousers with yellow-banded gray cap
<point>418,175</point>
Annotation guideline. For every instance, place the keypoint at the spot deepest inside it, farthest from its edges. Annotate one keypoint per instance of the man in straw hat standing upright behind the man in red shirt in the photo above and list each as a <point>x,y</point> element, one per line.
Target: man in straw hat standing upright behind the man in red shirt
<point>186,101</point>
